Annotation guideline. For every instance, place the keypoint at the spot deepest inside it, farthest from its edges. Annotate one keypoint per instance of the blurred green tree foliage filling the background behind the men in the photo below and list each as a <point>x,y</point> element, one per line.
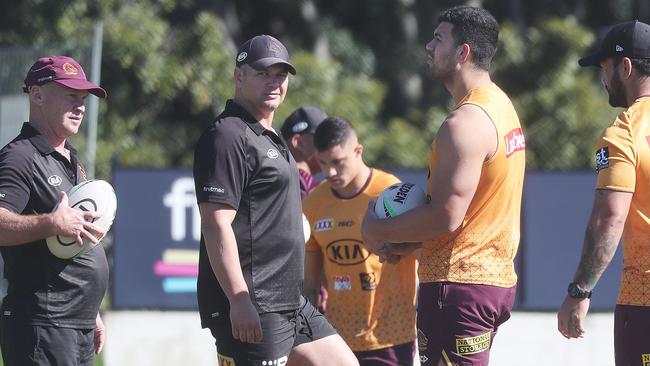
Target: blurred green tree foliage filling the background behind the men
<point>168,65</point>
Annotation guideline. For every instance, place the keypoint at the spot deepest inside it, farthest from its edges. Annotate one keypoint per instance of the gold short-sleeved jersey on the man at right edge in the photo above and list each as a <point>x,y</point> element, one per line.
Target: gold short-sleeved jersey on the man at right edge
<point>623,164</point>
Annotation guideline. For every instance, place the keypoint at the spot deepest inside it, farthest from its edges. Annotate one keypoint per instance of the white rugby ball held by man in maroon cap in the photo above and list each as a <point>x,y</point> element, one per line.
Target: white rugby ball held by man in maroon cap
<point>90,195</point>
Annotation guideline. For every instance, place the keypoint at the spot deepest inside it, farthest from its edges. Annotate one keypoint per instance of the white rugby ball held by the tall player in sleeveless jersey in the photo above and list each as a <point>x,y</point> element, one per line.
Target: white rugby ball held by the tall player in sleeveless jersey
<point>399,198</point>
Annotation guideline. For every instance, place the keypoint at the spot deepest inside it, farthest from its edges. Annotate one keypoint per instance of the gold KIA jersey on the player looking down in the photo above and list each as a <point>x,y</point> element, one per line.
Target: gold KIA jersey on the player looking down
<point>371,305</point>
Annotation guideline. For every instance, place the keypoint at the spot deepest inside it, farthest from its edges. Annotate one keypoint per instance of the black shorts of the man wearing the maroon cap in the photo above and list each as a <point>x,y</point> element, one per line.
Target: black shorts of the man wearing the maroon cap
<point>24,344</point>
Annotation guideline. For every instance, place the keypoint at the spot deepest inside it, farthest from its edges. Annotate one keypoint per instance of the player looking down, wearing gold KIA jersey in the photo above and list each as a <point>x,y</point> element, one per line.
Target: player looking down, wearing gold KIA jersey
<point>372,305</point>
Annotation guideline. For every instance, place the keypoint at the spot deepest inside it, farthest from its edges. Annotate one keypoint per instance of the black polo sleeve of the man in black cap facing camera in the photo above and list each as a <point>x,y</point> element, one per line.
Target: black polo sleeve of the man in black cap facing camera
<point>220,167</point>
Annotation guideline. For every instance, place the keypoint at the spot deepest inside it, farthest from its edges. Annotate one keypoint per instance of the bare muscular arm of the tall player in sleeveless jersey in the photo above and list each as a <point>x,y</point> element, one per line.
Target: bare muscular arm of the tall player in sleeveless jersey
<point>466,139</point>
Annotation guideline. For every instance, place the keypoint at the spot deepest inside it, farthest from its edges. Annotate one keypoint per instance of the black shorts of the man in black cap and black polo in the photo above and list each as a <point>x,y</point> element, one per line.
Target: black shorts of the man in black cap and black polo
<point>281,332</point>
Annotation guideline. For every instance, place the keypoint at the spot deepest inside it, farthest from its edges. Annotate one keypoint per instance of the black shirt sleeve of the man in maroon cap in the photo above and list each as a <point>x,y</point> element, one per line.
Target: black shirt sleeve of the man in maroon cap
<point>15,180</point>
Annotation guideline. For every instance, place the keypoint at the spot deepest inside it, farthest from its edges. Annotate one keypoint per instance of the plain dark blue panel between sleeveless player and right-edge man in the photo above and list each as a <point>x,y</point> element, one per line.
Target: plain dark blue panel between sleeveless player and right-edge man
<point>556,210</point>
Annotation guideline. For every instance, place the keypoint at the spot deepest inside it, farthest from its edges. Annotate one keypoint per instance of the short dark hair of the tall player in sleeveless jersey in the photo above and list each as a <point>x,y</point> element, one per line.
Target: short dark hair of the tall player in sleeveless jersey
<point>476,27</point>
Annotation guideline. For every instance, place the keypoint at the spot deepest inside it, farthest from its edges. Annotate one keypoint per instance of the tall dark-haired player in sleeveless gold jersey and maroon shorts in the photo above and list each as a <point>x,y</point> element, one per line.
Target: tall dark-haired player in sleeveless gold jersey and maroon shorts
<point>470,229</point>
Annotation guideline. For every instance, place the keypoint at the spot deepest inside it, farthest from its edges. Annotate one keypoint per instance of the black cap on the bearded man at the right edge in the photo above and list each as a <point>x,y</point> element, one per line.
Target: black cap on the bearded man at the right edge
<point>629,39</point>
